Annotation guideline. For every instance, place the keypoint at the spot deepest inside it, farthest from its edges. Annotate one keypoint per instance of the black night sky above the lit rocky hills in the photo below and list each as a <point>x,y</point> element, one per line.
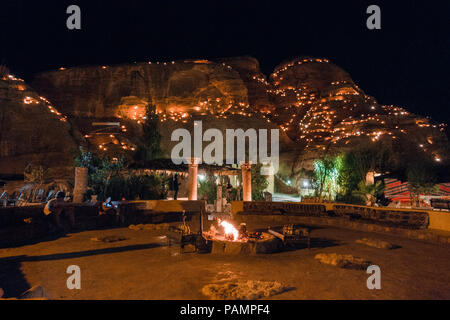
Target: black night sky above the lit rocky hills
<point>406,63</point>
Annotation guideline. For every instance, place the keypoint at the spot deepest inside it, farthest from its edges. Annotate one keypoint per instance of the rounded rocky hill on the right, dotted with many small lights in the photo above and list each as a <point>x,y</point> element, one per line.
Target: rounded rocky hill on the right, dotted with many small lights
<point>323,110</point>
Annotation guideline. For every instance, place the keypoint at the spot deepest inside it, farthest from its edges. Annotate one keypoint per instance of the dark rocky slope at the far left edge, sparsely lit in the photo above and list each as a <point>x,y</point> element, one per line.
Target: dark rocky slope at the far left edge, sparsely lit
<point>32,131</point>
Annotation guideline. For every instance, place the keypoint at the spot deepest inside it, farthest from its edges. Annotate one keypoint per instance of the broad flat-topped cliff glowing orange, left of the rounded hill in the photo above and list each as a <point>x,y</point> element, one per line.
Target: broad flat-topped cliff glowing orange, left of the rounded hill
<point>223,94</point>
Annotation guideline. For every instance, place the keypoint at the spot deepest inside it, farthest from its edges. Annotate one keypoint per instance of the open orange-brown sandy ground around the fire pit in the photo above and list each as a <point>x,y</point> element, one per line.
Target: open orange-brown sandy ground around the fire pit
<point>144,267</point>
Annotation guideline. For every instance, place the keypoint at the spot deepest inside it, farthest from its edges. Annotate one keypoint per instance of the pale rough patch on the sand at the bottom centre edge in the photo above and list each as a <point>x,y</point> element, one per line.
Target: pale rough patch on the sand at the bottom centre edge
<point>243,290</point>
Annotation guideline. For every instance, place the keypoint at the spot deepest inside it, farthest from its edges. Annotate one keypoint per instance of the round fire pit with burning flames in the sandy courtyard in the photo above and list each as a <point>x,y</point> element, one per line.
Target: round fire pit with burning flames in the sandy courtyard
<point>226,239</point>
